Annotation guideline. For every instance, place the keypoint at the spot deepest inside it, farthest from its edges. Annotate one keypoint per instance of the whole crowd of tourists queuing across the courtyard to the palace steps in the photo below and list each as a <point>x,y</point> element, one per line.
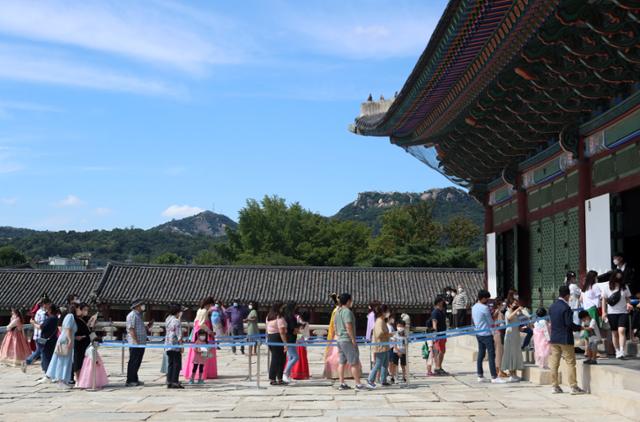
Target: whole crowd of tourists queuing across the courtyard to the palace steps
<point>63,339</point>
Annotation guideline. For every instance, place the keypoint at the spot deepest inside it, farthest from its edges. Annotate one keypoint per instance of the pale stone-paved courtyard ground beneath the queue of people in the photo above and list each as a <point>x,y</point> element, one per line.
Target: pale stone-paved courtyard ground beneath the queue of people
<point>232,397</point>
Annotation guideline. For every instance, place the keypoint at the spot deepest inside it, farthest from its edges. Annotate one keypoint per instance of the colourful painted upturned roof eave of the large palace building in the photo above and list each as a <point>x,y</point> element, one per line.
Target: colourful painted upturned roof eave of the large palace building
<point>502,80</point>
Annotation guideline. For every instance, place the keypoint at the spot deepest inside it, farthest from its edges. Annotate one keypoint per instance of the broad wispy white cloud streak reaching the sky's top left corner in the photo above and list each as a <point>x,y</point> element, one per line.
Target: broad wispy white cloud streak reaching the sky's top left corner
<point>163,33</point>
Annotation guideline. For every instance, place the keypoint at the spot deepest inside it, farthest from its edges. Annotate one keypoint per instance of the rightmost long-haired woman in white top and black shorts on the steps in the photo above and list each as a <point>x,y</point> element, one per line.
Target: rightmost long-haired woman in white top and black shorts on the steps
<point>616,306</point>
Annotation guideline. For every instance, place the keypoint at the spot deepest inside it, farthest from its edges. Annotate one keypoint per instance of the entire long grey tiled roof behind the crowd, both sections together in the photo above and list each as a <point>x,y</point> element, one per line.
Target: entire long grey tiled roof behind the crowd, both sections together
<point>120,284</point>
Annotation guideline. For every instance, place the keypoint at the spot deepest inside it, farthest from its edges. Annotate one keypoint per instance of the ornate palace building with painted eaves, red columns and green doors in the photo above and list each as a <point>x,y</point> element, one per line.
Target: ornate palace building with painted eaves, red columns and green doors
<point>534,107</point>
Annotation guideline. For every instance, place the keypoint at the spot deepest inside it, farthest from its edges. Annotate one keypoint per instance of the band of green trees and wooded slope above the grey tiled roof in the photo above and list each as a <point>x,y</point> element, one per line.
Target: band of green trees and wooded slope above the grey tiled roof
<point>272,232</point>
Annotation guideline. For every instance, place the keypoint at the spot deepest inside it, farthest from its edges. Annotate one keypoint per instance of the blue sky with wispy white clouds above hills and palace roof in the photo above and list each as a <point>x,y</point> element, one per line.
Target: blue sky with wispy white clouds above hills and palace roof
<point>118,114</point>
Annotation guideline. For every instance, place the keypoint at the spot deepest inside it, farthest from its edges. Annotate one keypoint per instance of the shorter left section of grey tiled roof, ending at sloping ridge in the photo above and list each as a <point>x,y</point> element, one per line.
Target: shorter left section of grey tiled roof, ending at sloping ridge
<point>23,287</point>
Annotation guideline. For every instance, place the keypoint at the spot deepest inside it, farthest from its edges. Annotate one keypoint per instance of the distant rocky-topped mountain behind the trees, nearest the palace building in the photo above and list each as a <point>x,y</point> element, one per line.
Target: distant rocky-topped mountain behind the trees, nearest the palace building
<point>447,202</point>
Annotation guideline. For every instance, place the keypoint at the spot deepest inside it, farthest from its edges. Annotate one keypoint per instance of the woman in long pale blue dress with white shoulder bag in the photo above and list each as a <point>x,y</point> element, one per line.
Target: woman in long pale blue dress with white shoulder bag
<point>61,366</point>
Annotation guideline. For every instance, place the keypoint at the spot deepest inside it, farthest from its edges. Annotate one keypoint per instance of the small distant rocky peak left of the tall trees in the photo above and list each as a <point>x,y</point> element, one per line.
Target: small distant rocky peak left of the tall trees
<point>206,223</point>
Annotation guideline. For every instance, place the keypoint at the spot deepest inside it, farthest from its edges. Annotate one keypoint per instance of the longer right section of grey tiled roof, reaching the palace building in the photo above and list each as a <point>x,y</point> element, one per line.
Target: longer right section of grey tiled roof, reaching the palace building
<point>307,286</point>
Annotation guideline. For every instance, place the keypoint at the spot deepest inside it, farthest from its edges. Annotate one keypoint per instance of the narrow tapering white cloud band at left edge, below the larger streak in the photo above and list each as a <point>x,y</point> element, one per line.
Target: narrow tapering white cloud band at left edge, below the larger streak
<point>39,65</point>
